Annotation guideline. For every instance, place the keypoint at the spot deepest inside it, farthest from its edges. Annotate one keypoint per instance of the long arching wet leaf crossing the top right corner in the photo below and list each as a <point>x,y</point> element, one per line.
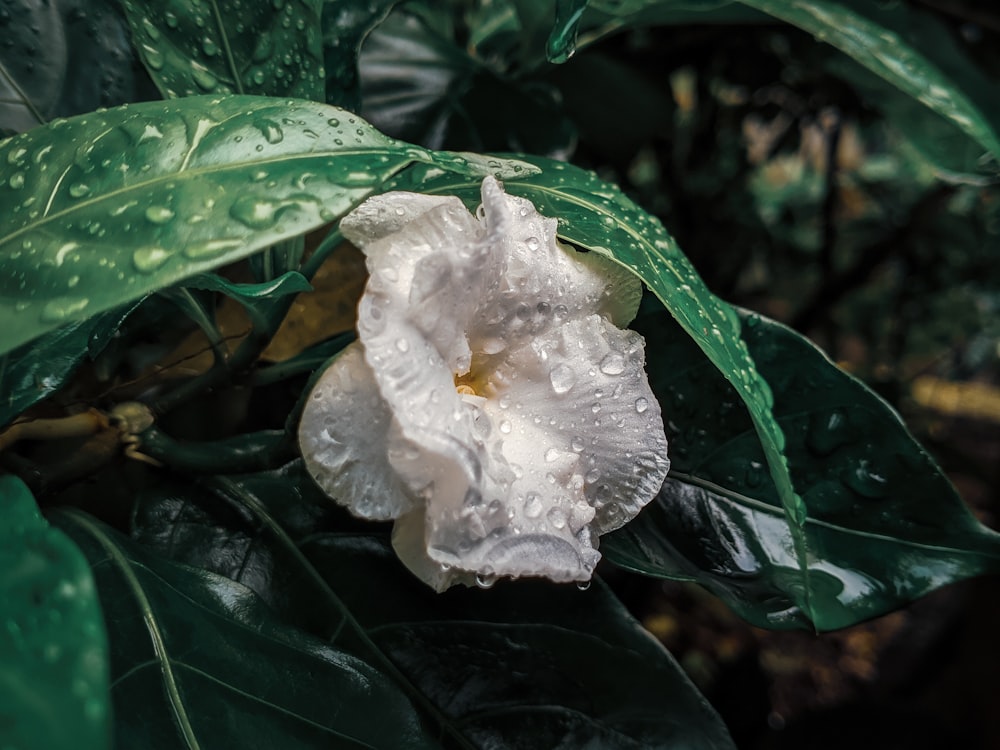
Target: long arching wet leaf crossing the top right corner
<point>908,47</point>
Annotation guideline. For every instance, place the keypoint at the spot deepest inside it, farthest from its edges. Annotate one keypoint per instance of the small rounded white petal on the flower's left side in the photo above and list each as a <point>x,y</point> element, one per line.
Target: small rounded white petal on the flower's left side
<point>343,435</point>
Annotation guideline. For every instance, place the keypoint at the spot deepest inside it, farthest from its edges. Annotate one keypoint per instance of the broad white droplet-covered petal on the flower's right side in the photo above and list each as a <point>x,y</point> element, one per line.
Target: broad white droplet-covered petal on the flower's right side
<point>582,419</point>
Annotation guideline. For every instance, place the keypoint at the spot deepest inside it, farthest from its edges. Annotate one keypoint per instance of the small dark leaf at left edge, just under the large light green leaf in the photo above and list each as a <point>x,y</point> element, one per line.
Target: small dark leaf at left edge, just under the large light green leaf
<point>36,370</point>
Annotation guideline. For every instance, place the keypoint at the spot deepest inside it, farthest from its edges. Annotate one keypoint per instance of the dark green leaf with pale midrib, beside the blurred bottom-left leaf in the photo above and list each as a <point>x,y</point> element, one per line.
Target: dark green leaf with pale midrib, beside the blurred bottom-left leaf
<point>200,661</point>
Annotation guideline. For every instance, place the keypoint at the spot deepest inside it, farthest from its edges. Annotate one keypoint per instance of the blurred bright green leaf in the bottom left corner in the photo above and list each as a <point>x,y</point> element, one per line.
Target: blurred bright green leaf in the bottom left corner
<point>53,654</point>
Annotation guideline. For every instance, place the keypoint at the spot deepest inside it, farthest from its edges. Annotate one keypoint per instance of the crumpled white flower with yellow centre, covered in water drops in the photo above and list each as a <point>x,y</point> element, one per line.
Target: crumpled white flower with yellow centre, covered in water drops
<point>492,406</point>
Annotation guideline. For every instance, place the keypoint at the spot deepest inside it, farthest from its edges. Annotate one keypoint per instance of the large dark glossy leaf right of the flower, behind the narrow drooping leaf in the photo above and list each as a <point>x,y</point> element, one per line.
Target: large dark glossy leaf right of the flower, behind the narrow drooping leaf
<point>885,526</point>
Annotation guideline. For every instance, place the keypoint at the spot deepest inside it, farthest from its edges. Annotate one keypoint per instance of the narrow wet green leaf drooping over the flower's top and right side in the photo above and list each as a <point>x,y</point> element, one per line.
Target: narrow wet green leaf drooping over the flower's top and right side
<point>596,215</point>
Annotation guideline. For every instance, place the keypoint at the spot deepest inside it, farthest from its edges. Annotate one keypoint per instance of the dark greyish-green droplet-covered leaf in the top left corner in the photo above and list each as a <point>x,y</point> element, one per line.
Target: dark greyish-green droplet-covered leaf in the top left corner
<point>61,58</point>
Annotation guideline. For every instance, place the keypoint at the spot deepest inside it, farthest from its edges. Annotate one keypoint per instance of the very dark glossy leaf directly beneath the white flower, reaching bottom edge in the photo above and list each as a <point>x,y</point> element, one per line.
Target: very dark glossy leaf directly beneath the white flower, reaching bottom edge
<point>526,664</point>
